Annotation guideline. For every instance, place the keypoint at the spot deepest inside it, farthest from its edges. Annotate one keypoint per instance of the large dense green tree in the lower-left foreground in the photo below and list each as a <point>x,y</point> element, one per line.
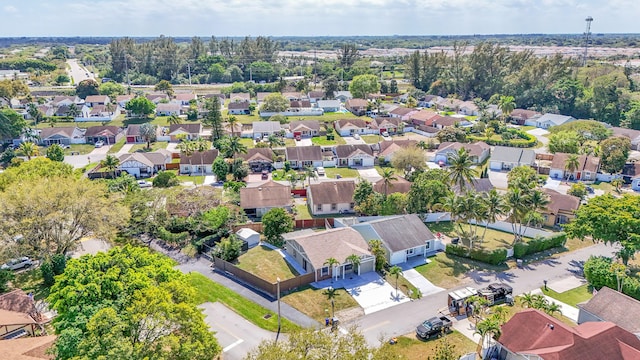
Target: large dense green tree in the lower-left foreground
<point>128,304</point>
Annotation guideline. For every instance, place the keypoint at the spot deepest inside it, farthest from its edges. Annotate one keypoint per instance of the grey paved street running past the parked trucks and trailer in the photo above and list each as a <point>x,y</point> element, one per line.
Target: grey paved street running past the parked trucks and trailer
<point>402,319</point>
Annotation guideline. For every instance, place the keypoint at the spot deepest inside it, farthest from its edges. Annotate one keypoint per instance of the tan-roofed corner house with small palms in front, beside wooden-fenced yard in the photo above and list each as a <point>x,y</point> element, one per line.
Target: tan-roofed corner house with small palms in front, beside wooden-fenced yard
<point>311,251</point>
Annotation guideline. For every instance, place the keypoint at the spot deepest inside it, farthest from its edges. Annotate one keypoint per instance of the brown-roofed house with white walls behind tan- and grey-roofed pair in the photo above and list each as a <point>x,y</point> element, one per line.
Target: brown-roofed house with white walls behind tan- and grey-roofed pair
<point>331,197</point>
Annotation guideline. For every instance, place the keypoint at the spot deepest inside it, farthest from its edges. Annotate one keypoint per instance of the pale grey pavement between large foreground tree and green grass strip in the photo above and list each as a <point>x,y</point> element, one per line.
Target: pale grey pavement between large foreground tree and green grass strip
<point>236,335</point>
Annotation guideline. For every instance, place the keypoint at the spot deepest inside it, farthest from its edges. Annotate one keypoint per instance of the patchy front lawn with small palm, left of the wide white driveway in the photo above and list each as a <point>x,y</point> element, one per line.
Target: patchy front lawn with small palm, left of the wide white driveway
<point>314,303</point>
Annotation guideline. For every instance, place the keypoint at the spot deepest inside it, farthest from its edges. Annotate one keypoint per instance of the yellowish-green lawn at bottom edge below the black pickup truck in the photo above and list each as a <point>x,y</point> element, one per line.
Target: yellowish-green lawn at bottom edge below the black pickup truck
<point>410,347</point>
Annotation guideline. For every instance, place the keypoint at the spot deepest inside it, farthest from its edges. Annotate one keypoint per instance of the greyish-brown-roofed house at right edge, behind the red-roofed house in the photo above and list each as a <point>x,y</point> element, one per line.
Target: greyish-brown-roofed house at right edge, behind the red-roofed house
<point>612,306</point>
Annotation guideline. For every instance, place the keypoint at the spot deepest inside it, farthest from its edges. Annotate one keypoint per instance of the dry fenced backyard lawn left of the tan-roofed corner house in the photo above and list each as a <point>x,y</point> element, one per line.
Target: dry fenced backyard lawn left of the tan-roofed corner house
<point>267,263</point>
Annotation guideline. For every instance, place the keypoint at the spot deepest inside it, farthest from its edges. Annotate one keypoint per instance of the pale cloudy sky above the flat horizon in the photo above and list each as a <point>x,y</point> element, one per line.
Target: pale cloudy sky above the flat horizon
<point>179,18</point>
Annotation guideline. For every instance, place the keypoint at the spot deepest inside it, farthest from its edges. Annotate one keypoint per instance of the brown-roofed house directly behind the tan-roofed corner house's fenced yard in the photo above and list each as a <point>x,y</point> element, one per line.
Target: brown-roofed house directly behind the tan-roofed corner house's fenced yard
<point>257,200</point>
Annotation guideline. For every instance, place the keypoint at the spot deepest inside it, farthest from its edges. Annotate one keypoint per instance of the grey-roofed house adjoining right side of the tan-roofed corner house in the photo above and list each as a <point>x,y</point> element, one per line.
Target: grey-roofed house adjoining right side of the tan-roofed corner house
<point>403,237</point>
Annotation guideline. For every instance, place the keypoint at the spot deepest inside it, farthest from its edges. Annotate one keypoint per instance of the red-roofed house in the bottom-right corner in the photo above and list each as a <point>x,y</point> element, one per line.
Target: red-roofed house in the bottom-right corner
<point>532,334</point>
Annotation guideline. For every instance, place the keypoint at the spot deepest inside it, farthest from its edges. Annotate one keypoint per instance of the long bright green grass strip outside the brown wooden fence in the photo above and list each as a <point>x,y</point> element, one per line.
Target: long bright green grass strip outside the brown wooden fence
<point>209,291</point>
